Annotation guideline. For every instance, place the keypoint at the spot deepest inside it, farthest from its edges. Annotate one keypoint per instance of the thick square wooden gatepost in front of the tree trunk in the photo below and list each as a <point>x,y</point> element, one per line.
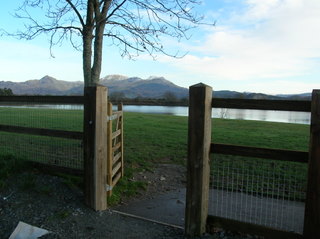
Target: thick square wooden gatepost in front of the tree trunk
<point>95,150</point>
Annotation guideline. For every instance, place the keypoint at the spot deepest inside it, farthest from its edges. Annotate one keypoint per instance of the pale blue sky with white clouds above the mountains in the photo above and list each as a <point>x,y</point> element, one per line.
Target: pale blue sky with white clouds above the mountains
<point>266,46</point>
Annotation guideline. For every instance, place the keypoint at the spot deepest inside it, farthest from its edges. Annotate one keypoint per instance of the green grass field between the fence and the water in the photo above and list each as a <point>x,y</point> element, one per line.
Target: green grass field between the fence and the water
<point>150,139</point>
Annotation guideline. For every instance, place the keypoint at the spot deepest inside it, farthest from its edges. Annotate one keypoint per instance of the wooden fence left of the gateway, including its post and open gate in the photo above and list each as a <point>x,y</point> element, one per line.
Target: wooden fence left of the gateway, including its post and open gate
<point>103,147</point>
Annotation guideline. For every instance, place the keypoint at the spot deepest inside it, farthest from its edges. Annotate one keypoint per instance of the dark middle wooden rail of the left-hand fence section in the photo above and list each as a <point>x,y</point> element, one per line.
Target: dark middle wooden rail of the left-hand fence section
<point>42,132</point>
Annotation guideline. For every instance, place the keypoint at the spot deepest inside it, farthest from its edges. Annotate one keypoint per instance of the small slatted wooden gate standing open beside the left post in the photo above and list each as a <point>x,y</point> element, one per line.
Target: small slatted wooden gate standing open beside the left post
<point>115,147</point>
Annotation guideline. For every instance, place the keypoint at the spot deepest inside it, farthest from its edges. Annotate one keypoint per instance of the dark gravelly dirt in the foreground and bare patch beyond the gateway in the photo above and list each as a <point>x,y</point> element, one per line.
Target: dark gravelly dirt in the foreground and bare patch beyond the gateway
<point>50,202</point>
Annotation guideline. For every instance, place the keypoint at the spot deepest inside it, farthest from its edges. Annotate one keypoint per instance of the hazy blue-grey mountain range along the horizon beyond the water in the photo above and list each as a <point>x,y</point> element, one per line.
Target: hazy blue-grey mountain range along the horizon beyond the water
<point>128,87</point>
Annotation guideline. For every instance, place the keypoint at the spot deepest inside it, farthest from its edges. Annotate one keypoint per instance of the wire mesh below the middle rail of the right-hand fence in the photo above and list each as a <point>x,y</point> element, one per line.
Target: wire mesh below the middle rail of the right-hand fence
<point>264,192</point>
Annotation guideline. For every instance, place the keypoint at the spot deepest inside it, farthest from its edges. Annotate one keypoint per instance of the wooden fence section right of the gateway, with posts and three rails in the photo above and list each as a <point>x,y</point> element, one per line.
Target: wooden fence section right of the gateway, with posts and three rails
<point>200,147</point>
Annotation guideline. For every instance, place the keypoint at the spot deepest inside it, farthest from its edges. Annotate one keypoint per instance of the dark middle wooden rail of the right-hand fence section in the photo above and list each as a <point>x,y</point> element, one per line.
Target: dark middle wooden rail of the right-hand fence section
<point>266,153</point>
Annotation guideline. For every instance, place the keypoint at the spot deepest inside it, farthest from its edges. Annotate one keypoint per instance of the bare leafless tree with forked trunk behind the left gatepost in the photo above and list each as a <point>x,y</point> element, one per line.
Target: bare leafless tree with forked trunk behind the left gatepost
<point>135,26</point>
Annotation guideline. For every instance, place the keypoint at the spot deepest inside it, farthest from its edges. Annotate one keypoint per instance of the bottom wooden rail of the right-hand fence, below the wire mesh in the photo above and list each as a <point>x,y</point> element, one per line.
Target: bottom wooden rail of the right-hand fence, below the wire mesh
<point>248,228</point>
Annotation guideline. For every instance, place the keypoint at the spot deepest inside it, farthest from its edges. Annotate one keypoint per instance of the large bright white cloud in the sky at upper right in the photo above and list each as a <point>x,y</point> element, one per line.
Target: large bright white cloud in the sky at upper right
<point>270,39</point>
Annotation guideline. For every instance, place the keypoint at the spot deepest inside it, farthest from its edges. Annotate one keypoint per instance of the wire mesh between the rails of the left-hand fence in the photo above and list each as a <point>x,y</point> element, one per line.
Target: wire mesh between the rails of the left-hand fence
<point>44,149</point>
